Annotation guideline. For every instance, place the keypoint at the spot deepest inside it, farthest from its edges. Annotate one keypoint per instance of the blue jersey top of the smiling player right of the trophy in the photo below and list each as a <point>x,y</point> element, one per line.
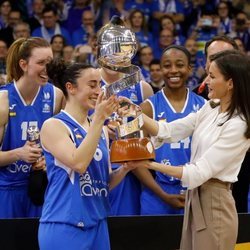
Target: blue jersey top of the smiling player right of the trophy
<point>175,153</point>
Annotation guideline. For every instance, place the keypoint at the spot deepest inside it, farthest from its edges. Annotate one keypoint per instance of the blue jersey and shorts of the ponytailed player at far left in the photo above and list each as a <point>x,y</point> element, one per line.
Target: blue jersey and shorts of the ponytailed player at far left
<point>14,177</point>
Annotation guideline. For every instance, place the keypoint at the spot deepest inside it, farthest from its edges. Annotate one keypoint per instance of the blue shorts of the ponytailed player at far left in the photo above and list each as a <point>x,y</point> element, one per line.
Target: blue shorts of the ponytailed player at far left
<point>15,203</point>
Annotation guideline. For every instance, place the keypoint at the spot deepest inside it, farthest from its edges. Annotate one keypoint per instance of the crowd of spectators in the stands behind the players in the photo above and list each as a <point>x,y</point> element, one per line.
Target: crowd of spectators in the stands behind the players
<point>70,26</point>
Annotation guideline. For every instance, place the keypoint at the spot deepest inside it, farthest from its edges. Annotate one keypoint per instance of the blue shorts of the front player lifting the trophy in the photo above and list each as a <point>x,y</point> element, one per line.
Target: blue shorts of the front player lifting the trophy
<point>55,236</point>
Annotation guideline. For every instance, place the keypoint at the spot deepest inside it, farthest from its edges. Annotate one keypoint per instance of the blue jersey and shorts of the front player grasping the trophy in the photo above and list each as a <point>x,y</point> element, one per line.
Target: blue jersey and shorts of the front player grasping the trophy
<point>76,204</point>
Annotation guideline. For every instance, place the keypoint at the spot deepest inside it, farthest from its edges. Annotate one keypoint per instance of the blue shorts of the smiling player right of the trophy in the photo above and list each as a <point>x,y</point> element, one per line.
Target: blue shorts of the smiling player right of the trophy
<point>151,204</point>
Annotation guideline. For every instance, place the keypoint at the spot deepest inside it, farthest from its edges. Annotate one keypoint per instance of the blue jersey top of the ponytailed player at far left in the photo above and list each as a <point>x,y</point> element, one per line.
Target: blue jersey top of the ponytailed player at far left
<point>21,116</point>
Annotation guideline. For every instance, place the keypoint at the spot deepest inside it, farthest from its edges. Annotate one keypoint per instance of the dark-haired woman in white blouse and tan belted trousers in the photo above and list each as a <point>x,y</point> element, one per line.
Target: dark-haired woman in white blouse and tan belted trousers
<point>220,138</point>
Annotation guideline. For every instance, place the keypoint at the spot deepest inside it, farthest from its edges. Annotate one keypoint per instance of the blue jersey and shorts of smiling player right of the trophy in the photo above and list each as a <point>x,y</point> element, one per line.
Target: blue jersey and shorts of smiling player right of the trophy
<point>170,154</point>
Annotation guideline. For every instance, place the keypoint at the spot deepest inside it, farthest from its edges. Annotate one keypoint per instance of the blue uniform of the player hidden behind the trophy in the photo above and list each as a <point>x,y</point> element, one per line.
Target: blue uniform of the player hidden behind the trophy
<point>125,197</point>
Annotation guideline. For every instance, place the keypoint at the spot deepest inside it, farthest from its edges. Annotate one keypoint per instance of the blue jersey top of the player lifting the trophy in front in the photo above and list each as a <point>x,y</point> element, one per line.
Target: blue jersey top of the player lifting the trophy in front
<point>75,199</point>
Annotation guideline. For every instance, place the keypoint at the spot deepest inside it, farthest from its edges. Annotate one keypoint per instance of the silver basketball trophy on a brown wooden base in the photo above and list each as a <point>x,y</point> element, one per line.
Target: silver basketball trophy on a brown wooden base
<point>117,45</point>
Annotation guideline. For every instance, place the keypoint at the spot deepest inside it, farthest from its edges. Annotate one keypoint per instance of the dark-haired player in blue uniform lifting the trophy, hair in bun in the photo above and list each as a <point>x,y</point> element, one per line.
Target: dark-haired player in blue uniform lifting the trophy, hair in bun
<point>76,203</point>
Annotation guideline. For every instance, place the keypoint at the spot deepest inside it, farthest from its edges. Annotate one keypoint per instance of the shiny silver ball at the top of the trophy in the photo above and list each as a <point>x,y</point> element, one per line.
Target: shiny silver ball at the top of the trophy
<point>116,44</point>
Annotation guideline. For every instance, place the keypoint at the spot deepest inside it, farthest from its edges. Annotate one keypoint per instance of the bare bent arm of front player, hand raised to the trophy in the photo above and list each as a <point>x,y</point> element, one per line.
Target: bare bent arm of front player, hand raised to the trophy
<point>64,149</point>
